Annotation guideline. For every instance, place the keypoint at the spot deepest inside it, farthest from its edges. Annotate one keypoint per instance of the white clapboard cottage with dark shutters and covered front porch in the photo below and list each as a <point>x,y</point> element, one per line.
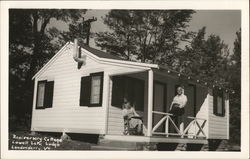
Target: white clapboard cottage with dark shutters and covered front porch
<point>87,98</point>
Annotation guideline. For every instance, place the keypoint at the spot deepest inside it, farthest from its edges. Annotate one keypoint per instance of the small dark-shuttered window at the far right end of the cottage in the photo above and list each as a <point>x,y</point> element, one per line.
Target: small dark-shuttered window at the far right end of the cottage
<point>219,104</point>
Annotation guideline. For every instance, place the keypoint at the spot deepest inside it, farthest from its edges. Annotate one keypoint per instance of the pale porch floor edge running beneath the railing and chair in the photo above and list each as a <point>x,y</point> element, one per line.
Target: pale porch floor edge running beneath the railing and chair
<point>155,139</point>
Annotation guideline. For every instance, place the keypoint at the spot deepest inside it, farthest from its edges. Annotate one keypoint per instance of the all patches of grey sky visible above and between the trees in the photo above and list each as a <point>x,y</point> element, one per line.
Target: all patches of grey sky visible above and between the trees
<point>224,23</point>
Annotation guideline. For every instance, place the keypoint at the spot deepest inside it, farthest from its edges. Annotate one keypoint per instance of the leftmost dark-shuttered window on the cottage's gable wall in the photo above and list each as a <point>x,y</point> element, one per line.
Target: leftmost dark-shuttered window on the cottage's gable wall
<point>45,91</point>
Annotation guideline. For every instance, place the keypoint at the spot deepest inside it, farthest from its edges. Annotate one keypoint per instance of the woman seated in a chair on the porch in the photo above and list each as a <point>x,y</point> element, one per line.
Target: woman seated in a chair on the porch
<point>131,120</point>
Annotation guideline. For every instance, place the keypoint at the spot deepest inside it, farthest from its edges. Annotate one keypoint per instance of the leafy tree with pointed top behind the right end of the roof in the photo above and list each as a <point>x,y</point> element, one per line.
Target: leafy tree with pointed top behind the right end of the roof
<point>205,58</point>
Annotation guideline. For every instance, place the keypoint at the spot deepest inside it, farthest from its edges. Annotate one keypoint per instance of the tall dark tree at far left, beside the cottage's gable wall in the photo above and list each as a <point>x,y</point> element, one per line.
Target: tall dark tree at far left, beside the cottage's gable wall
<point>31,43</point>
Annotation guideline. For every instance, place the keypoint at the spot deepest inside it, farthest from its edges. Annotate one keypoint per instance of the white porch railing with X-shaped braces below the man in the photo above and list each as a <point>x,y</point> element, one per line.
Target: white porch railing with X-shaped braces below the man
<point>169,121</point>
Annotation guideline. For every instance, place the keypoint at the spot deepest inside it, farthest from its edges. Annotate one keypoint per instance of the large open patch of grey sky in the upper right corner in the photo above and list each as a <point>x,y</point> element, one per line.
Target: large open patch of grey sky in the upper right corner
<point>224,23</point>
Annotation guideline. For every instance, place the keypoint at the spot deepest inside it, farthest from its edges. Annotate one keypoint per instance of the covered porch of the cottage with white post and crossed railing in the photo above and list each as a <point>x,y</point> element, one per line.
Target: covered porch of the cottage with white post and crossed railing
<point>158,125</point>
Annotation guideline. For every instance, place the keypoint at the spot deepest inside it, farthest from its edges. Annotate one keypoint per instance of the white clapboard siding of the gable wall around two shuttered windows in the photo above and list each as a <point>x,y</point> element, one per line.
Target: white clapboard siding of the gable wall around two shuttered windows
<point>66,114</point>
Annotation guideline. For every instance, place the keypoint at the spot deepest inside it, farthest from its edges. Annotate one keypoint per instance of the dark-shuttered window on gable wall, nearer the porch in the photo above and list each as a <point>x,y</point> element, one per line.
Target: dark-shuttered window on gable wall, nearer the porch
<point>91,90</point>
